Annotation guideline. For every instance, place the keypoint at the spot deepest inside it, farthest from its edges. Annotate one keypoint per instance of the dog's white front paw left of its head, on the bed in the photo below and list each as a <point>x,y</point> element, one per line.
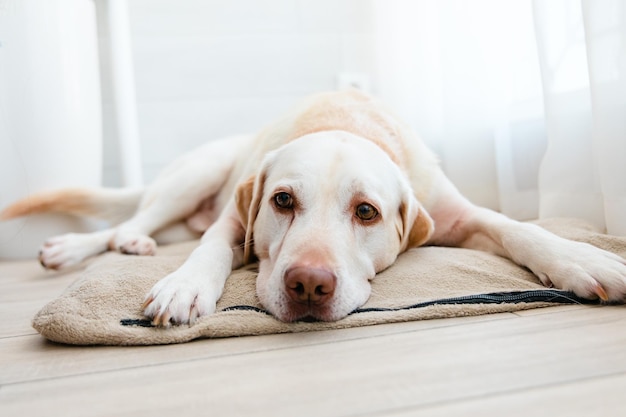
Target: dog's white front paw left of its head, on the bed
<point>179,298</point>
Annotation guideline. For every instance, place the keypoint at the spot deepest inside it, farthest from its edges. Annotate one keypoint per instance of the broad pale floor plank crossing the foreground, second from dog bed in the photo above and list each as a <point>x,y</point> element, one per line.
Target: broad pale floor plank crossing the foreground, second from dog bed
<point>416,369</point>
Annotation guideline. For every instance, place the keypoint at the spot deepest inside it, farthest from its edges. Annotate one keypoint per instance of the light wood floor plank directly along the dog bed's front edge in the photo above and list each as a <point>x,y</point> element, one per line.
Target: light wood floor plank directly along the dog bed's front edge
<point>32,357</point>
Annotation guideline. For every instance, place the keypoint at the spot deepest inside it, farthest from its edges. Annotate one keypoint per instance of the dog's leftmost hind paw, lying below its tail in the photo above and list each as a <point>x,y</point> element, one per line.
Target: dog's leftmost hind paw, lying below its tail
<point>66,250</point>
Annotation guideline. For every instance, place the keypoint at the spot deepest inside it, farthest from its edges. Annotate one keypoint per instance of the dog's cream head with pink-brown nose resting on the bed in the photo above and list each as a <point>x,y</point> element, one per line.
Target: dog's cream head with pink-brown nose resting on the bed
<point>325,214</point>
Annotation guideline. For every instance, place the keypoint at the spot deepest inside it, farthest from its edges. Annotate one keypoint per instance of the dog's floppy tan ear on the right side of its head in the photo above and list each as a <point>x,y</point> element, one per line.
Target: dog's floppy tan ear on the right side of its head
<point>416,224</point>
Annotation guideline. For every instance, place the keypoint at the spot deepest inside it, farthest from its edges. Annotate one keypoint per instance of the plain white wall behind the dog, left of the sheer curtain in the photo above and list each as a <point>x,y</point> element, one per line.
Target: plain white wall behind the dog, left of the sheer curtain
<point>205,69</point>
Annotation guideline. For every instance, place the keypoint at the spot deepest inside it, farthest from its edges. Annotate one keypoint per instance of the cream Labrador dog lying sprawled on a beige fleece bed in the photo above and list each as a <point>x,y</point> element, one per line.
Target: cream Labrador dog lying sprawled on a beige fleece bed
<point>323,199</point>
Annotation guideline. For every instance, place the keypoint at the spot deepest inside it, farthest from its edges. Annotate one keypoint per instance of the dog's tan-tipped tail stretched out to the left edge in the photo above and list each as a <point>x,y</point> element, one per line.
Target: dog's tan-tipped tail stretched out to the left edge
<point>111,204</point>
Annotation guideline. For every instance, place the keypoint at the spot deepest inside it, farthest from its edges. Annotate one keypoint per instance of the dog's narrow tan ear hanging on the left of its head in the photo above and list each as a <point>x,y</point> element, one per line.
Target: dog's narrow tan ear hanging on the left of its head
<point>248,200</point>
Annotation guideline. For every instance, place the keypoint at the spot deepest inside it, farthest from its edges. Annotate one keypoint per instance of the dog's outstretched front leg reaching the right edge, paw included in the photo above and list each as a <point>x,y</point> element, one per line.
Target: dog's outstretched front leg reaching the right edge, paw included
<point>586,270</point>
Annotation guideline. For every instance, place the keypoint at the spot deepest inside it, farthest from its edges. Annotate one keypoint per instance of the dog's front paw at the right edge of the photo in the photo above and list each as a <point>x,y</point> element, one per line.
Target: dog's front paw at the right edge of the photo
<point>584,269</point>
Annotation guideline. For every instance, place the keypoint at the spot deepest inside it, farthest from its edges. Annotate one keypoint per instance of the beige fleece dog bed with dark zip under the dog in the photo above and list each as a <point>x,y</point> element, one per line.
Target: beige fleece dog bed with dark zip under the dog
<point>103,306</point>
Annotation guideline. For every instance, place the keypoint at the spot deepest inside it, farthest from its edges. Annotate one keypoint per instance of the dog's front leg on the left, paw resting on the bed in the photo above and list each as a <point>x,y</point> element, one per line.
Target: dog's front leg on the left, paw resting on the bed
<point>194,288</point>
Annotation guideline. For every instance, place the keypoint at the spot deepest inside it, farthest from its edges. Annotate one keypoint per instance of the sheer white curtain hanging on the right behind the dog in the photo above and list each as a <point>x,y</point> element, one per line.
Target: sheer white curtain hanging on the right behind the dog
<point>525,101</point>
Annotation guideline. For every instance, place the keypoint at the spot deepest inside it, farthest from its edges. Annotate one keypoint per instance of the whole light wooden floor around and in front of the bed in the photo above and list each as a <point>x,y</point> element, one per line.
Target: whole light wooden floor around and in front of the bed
<point>560,361</point>
